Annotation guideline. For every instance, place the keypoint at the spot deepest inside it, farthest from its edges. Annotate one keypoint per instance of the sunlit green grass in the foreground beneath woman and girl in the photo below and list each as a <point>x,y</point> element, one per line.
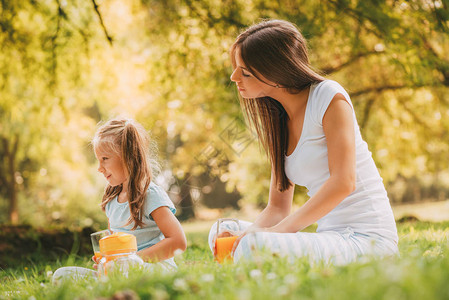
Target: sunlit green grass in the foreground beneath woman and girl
<point>421,272</point>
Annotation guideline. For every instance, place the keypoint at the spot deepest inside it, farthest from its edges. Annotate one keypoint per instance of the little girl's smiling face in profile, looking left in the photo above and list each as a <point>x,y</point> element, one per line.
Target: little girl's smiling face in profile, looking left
<point>111,166</point>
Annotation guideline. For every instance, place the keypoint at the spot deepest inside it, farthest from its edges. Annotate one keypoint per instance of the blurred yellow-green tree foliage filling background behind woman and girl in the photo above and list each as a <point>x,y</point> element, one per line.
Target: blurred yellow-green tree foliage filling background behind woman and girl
<point>66,65</point>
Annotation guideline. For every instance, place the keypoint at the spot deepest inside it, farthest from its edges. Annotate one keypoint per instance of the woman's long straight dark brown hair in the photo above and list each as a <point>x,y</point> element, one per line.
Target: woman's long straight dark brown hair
<point>276,50</point>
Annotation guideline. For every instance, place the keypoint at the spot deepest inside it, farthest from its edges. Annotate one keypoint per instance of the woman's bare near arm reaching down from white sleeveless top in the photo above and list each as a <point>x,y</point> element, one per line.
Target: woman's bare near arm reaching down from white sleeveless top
<point>339,130</point>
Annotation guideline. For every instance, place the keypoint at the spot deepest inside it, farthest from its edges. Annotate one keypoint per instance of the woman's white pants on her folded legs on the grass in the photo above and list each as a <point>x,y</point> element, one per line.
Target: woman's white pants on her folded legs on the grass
<point>338,248</point>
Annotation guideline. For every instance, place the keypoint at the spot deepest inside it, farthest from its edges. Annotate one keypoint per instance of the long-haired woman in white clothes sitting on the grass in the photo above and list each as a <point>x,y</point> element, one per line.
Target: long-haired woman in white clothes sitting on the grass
<point>309,129</point>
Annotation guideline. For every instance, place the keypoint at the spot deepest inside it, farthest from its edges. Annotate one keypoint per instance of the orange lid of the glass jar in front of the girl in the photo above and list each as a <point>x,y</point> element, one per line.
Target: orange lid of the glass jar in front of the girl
<point>118,242</point>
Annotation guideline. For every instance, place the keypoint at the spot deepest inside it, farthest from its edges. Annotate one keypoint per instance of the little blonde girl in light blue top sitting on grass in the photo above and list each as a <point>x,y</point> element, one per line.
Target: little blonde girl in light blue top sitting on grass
<point>132,202</point>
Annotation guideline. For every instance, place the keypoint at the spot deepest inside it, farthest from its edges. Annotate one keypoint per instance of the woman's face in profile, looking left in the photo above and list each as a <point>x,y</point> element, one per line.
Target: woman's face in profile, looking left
<point>248,85</point>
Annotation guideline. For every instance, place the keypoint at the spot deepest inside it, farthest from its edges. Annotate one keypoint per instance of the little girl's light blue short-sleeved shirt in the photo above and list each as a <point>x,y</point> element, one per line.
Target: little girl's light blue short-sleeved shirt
<point>148,235</point>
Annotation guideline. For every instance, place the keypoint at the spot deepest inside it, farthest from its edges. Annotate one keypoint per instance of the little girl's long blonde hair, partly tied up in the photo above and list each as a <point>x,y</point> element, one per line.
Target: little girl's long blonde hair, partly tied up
<point>131,142</point>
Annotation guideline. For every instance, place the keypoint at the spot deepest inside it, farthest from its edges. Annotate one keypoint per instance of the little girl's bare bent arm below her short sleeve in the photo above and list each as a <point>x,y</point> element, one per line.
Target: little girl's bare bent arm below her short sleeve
<point>174,237</point>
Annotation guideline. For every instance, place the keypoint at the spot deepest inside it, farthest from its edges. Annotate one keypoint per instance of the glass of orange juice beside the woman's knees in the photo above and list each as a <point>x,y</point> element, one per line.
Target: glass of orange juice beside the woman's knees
<point>227,233</point>
